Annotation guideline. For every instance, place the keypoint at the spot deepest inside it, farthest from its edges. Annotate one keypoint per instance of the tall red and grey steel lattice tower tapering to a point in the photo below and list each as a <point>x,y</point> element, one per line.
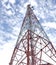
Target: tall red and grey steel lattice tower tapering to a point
<point>33,46</point>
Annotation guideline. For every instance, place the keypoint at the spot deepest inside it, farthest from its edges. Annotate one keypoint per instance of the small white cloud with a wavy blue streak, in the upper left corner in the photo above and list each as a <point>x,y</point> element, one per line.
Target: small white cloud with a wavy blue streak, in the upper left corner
<point>8,9</point>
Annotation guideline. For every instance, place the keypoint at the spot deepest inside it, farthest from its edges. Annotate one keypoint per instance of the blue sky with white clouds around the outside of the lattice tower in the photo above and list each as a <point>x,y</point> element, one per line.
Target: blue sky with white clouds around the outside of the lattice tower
<point>12,13</point>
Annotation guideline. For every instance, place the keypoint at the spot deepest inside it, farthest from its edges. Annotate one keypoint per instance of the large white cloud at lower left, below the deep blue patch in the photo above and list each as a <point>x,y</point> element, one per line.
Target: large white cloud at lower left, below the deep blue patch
<point>6,47</point>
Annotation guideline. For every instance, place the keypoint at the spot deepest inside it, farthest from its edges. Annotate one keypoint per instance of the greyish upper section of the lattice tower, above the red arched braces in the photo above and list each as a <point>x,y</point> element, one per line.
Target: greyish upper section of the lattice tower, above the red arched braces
<point>30,22</point>
